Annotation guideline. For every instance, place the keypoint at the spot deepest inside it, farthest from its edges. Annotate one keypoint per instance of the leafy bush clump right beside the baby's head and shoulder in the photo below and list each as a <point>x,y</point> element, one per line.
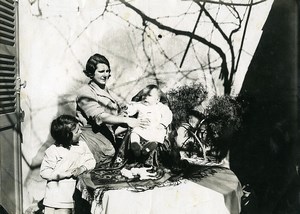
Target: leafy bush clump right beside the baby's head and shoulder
<point>183,99</point>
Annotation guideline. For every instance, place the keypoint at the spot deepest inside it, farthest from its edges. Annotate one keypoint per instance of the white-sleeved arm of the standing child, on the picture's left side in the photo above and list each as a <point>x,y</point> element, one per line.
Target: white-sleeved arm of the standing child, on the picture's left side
<point>49,169</point>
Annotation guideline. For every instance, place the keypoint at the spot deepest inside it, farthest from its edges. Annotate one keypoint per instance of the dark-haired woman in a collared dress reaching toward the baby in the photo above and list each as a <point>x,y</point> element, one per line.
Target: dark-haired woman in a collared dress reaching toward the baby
<point>98,111</point>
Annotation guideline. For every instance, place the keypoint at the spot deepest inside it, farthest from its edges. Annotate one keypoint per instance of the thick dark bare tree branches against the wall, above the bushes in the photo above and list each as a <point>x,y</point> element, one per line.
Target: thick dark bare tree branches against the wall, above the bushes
<point>227,71</point>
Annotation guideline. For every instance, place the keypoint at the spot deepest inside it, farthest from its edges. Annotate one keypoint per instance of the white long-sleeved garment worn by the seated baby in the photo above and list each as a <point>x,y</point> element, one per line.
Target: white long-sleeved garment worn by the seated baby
<point>159,116</point>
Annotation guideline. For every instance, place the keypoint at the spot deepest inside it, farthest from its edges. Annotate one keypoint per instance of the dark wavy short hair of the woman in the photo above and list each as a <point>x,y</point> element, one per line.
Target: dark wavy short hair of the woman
<point>93,61</point>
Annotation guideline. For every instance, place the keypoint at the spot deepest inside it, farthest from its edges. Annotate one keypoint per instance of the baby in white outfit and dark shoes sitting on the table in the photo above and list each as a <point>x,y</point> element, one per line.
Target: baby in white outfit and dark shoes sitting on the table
<point>144,139</point>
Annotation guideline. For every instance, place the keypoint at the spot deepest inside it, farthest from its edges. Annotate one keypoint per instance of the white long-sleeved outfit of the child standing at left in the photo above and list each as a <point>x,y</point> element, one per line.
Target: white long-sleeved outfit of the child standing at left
<point>59,162</point>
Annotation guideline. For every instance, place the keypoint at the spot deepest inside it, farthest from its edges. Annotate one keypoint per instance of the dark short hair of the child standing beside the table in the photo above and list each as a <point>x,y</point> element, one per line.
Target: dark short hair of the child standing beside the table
<point>61,130</point>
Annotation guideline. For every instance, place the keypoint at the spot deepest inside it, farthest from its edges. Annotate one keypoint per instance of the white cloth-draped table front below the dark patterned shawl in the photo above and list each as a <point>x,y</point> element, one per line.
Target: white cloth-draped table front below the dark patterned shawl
<point>216,193</point>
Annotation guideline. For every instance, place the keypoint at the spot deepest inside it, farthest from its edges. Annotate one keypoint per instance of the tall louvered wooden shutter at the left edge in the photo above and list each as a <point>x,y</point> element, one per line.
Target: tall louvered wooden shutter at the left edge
<point>10,140</point>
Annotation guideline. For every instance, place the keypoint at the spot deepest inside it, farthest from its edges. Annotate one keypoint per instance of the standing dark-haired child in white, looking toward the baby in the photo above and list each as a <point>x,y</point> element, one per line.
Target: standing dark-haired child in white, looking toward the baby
<point>63,162</point>
